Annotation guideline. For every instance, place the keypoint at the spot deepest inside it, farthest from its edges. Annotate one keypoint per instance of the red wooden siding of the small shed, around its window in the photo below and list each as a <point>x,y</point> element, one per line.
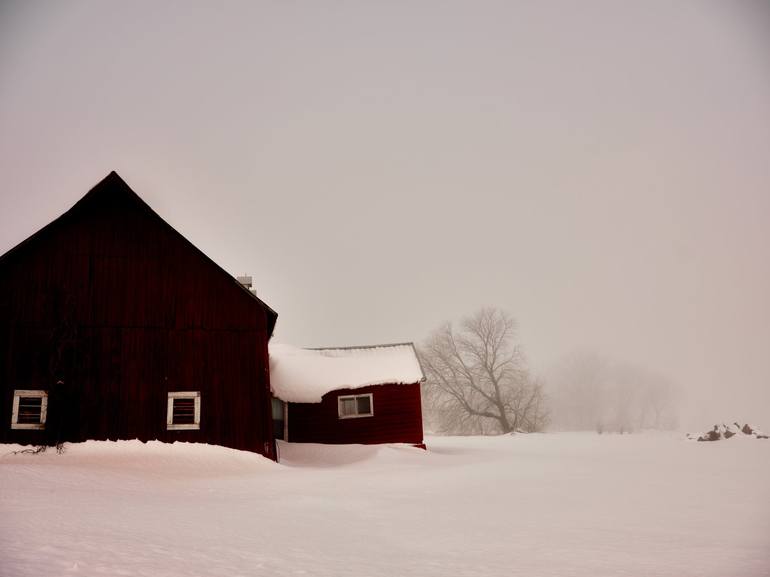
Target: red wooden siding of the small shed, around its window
<point>397,418</point>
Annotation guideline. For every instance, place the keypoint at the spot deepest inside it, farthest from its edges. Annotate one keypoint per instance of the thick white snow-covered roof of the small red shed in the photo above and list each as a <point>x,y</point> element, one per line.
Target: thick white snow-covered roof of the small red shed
<point>305,375</point>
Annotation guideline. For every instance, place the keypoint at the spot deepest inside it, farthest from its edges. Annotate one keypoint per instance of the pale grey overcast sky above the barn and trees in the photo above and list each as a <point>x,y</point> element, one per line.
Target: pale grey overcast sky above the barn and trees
<point>599,169</point>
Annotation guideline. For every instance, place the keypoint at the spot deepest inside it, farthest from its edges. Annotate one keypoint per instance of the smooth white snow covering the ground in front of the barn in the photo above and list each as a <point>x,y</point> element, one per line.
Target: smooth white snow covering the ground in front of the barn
<point>554,504</point>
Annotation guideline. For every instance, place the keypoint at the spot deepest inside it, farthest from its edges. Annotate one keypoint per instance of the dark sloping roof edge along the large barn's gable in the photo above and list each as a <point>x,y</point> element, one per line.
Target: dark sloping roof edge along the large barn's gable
<point>110,188</point>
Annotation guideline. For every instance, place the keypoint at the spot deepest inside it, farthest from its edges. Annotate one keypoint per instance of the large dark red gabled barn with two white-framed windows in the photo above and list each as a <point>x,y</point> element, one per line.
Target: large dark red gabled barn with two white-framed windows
<point>114,326</point>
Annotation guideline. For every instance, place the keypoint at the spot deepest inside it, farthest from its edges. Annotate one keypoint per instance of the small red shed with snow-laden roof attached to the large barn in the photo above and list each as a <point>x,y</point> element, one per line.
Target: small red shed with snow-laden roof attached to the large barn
<point>362,395</point>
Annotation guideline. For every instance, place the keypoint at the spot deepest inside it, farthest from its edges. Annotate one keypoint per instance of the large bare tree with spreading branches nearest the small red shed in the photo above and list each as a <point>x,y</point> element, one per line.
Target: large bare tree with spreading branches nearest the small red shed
<point>477,381</point>
